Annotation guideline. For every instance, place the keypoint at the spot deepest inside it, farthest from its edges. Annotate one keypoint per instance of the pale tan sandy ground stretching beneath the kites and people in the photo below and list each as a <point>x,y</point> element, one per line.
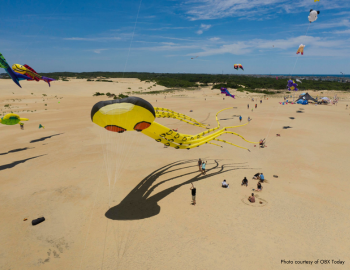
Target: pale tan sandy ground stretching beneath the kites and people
<point>144,218</point>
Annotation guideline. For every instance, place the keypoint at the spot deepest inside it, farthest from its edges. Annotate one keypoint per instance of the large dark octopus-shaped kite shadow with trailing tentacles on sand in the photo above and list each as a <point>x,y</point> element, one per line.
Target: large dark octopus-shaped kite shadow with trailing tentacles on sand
<point>140,203</point>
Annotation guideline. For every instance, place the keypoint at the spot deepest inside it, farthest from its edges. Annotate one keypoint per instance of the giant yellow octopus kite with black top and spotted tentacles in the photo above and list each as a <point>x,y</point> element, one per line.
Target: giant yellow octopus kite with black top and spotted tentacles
<point>134,113</point>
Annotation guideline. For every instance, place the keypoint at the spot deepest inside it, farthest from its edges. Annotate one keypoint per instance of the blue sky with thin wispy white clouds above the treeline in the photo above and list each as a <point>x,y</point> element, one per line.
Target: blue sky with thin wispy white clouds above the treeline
<point>262,35</point>
